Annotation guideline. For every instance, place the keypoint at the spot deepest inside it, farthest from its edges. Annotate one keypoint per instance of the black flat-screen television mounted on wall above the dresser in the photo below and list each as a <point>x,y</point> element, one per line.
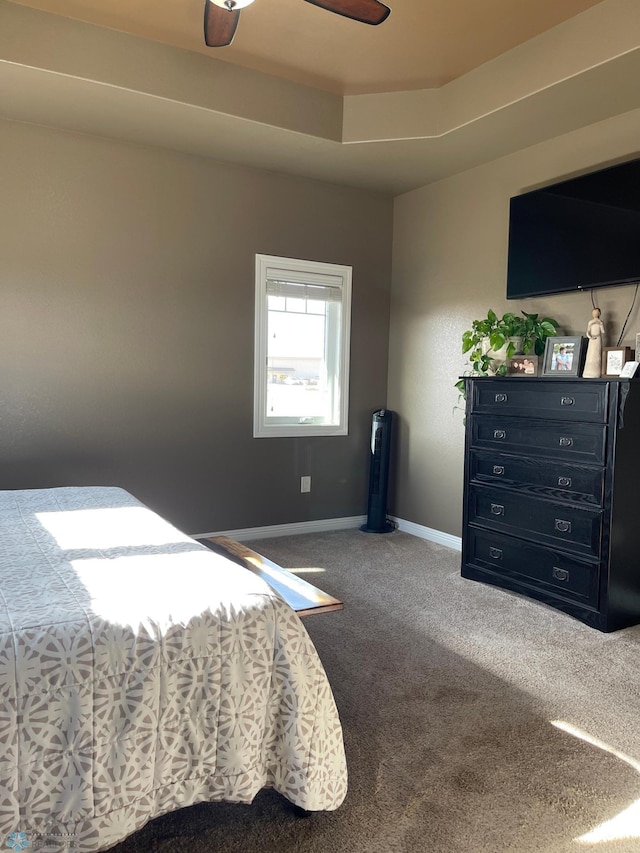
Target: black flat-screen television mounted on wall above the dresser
<point>577,234</point>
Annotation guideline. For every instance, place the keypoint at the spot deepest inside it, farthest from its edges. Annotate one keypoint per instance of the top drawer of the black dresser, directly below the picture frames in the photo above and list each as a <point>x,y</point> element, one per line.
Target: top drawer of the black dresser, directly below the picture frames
<point>559,399</point>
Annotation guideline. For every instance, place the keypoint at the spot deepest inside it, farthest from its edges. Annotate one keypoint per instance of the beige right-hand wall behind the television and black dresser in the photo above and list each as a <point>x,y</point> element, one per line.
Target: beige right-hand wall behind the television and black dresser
<point>449,262</point>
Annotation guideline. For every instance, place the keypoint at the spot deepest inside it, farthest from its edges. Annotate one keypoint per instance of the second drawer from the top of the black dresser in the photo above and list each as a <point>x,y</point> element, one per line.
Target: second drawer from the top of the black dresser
<point>571,441</point>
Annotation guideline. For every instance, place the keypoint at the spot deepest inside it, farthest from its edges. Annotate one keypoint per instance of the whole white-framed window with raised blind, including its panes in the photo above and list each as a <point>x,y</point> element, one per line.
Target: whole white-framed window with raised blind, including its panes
<point>303,318</point>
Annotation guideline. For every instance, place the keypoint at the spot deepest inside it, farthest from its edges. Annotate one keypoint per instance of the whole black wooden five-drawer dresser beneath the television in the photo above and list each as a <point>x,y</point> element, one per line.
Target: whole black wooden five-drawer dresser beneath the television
<point>551,493</point>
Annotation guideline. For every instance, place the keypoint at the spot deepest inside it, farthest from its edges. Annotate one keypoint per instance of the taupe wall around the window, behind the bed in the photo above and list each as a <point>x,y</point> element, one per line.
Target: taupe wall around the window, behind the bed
<point>126,344</point>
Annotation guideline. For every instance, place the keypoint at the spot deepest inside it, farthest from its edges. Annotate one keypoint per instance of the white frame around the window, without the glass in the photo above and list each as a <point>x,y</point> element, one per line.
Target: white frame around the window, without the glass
<point>270,268</point>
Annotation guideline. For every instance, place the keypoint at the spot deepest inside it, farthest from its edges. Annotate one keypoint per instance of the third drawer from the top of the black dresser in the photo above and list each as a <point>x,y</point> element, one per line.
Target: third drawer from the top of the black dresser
<point>558,480</point>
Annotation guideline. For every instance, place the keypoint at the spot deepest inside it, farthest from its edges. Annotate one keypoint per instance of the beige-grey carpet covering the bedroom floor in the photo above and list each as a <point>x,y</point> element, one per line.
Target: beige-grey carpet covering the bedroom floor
<point>448,690</point>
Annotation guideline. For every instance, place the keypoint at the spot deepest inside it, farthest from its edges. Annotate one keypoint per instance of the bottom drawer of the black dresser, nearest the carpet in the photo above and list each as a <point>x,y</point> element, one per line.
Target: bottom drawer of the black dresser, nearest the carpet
<point>534,567</point>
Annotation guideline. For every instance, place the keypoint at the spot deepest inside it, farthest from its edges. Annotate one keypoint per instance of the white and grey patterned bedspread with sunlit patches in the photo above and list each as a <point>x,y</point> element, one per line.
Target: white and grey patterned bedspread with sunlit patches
<point>141,672</point>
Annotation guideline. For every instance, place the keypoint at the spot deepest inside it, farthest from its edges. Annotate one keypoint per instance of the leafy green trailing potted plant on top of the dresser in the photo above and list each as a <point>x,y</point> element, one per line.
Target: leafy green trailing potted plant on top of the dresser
<point>492,340</point>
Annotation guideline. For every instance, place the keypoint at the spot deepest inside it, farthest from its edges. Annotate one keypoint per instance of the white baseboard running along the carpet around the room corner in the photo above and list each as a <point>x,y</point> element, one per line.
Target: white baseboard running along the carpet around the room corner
<point>328,524</point>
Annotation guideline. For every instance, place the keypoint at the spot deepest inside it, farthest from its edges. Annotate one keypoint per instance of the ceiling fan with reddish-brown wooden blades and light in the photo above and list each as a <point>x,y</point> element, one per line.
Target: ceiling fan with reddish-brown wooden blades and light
<point>221,16</point>
